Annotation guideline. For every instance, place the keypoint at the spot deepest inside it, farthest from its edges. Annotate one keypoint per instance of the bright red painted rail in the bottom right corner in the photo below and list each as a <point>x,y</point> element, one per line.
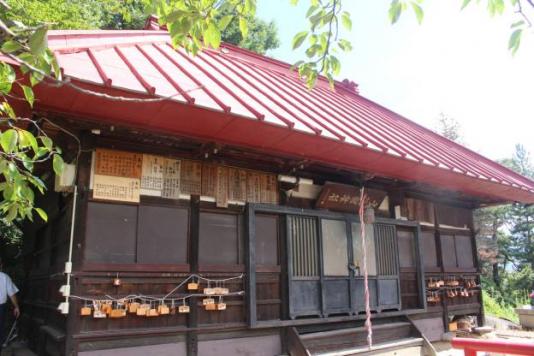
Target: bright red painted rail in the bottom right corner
<point>471,346</point>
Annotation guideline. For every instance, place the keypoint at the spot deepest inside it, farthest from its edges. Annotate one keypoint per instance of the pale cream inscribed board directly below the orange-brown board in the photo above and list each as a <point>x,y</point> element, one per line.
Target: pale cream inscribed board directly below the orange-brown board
<point>116,188</point>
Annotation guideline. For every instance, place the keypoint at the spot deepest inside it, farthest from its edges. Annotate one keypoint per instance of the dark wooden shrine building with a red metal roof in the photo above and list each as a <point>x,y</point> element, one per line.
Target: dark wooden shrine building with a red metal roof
<point>216,209</point>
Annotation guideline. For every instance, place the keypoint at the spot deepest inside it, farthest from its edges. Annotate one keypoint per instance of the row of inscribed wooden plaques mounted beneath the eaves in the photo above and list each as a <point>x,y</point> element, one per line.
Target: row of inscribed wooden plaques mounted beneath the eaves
<point>125,176</point>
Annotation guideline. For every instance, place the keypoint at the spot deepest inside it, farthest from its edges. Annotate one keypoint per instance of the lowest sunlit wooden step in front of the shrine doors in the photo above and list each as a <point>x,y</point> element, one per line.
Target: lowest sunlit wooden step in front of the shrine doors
<point>403,347</point>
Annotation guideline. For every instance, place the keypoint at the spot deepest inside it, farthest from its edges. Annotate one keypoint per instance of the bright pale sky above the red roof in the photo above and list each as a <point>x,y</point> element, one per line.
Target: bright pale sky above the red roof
<point>456,62</point>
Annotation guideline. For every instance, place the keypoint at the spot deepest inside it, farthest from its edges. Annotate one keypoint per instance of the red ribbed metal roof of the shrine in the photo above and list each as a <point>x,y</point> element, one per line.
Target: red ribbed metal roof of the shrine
<point>238,97</point>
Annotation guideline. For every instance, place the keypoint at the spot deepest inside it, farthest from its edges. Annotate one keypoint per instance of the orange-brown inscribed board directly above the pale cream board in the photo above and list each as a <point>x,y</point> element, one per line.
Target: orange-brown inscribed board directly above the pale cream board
<point>118,163</point>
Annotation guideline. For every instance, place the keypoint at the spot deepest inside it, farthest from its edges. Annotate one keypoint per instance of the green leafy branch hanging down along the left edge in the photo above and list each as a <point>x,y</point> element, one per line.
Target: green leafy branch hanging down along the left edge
<point>23,143</point>
